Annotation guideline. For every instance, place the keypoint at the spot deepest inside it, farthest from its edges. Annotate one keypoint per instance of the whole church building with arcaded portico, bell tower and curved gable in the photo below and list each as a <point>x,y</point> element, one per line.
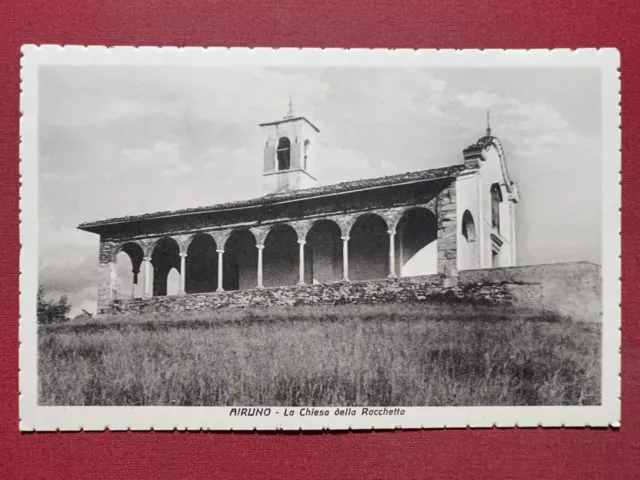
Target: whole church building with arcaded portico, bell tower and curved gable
<point>431,222</point>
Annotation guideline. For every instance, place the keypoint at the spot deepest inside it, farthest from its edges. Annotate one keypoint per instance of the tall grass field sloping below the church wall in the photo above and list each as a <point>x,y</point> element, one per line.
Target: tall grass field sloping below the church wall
<point>406,355</point>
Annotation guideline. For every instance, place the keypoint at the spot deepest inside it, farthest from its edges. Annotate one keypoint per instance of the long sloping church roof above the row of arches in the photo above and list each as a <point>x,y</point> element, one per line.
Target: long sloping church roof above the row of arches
<point>337,188</point>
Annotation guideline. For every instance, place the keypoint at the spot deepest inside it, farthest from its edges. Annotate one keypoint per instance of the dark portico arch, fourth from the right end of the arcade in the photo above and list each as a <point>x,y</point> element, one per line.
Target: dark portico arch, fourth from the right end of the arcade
<point>281,256</point>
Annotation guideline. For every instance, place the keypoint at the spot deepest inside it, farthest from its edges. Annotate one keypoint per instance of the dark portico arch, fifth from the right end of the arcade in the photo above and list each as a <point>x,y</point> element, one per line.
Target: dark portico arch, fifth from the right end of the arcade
<point>240,263</point>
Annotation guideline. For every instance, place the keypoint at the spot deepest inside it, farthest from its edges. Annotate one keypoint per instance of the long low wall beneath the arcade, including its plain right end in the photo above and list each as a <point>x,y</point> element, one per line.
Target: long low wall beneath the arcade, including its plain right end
<point>568,290</point>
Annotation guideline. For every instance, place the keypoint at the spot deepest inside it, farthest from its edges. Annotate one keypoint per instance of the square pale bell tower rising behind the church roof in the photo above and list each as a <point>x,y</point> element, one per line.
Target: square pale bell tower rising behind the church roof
<point>289,154</point>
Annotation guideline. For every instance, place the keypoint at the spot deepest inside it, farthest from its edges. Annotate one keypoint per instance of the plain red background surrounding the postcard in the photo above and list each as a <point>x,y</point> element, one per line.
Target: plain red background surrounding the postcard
<point>497,453</point>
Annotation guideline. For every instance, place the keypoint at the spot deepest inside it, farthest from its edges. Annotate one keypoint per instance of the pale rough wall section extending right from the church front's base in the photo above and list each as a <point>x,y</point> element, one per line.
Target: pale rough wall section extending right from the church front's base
<point>568,289</point>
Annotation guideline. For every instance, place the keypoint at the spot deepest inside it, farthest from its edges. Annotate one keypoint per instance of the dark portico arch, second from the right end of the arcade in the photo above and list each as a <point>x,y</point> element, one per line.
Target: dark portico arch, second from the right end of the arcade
<point>368,248</point>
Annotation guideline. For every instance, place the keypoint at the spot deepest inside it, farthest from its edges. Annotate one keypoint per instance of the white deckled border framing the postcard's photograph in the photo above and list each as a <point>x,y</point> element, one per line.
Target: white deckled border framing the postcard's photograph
<point>48,418</point>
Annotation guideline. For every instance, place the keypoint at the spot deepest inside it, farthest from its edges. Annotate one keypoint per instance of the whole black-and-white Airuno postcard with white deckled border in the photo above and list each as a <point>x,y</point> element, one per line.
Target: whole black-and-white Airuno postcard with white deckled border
<point>332,240</point>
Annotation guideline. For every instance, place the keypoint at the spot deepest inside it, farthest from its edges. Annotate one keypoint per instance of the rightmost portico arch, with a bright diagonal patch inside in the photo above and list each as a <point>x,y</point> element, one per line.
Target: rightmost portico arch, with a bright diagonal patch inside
<point>416,243</point>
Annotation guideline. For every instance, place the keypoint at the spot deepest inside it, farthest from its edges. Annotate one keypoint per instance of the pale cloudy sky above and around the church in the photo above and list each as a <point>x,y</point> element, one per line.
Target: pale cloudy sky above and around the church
<point>126,140</point>
